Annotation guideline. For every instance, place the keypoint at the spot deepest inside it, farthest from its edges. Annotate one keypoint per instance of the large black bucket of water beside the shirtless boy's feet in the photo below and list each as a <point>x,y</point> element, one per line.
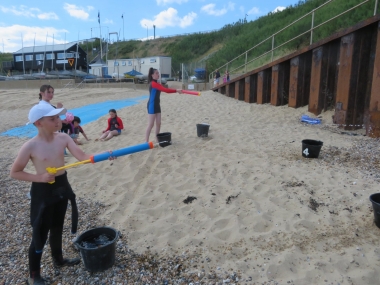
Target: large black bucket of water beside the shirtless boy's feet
<point>97,248</point>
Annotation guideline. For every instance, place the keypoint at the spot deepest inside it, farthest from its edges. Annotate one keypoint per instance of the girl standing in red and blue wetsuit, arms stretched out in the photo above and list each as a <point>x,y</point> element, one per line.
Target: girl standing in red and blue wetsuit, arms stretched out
<point>153,106</point>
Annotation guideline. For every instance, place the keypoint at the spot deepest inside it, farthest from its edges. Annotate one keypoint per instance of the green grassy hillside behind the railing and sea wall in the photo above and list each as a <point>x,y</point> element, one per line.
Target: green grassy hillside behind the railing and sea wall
<point>235,39</point>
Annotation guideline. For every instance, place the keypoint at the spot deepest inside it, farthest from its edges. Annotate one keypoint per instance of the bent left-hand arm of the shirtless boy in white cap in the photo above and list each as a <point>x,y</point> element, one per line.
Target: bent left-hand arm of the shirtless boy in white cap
<point>22,159</point>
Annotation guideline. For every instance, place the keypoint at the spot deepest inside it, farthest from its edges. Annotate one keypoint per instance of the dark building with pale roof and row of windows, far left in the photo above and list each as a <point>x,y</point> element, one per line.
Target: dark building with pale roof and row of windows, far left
<point>69,56</point>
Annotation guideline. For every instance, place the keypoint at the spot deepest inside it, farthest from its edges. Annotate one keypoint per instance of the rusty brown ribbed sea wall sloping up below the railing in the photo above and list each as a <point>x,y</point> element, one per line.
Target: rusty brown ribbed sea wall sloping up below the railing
<point>341,72</point>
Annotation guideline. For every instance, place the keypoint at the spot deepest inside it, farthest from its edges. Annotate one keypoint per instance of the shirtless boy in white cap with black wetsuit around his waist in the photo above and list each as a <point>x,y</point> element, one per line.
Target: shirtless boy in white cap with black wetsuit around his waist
<point>48,200</point>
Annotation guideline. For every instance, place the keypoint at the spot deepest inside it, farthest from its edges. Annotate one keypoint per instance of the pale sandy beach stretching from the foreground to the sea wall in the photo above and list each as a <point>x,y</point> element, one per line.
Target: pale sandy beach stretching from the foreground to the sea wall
<point>263,214</point>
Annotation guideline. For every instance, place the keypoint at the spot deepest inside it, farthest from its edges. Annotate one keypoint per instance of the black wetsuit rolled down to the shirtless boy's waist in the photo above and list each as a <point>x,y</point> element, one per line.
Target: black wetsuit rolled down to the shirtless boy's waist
<point>47,214</point>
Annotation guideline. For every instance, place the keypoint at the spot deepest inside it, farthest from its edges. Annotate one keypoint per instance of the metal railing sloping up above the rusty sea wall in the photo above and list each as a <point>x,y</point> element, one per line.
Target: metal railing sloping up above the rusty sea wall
<point>243,67</point>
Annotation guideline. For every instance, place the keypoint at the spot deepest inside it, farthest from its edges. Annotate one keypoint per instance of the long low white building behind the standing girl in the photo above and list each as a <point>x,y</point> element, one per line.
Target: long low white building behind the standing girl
<point>142,65</point>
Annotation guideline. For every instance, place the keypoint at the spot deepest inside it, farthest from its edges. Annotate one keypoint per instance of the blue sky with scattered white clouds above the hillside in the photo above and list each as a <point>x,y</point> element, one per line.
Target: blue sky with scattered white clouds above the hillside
<point>37,23</point>
